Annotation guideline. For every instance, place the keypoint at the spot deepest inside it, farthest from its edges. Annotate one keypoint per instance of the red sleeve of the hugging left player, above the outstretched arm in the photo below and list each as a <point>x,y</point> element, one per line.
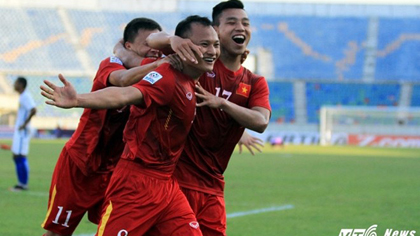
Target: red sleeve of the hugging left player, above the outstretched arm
<point>106,67</point>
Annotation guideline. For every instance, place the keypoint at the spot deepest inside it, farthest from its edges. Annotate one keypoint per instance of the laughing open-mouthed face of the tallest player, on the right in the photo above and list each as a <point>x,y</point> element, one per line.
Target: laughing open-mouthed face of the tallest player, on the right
<point>234,31</point>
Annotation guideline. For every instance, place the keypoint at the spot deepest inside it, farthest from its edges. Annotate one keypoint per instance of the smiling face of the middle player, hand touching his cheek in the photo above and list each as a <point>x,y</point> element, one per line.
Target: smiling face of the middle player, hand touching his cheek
<point>206,38</point>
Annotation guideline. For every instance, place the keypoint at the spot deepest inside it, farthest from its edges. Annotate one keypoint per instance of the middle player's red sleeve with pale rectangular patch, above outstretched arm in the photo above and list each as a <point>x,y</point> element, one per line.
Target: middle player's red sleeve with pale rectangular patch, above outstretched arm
<point>157,86</point>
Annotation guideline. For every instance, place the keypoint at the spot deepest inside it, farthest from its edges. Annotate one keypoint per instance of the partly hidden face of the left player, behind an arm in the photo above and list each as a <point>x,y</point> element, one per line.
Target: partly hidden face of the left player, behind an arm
<point>140,46</point>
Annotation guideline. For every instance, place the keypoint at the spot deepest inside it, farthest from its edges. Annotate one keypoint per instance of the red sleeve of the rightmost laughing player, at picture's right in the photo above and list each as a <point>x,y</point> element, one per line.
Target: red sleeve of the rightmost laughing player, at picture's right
<point>259,96</point>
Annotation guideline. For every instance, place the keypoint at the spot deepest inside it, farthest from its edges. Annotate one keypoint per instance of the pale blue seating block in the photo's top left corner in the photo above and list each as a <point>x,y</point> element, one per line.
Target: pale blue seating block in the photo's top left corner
<point>34,40</point>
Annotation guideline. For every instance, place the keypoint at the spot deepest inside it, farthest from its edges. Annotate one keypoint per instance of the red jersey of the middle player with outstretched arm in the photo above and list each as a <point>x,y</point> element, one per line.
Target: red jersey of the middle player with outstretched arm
<point>156,130</point>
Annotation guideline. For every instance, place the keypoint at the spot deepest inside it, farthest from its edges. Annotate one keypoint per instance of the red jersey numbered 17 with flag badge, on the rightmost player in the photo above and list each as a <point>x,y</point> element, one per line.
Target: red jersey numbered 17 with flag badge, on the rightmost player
<point>214,134</point>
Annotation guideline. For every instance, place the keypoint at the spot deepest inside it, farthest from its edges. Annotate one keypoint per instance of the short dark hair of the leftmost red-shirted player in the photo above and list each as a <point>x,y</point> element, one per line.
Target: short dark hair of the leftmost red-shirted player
<point>132,28</point>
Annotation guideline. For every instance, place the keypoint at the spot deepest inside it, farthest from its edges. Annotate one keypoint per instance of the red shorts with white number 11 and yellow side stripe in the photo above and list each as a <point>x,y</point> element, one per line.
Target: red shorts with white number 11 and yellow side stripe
<point>72,194</point>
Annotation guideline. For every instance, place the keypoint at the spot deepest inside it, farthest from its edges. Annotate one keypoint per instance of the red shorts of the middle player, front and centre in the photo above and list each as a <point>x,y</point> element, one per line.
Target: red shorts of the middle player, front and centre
<point>139,204</point>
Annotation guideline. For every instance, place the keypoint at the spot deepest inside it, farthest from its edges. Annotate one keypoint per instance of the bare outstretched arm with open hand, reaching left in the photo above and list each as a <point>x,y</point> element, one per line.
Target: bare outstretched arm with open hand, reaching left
<point>108,98</point>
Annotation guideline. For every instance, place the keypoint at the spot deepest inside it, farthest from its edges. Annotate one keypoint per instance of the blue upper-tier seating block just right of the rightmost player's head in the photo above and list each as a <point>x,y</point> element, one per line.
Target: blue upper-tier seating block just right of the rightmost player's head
<point>312,47</point>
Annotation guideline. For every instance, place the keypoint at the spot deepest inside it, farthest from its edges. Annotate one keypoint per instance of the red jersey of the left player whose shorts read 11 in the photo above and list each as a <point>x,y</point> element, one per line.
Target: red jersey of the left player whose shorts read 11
<point>97,144</point>
